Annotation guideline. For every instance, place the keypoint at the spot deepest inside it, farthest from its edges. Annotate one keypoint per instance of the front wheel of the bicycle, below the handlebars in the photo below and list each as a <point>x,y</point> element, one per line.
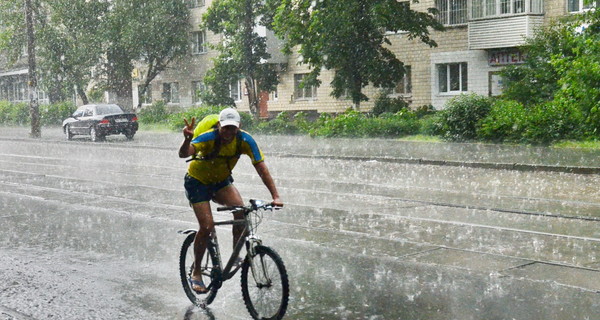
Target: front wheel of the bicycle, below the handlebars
<point>265,285</point>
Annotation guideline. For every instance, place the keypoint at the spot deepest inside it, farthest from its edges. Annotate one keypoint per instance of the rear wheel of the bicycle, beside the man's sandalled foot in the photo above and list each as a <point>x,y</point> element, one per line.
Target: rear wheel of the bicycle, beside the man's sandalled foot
<point>209,272</point>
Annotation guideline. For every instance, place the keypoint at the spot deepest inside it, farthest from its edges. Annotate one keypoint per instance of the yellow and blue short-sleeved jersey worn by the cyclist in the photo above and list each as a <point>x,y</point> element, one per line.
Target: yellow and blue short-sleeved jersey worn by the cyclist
<point>218,168</point>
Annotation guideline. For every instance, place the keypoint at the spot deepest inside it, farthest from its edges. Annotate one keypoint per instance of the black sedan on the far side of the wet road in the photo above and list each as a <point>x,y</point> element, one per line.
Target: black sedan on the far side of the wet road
<point>100,120</point>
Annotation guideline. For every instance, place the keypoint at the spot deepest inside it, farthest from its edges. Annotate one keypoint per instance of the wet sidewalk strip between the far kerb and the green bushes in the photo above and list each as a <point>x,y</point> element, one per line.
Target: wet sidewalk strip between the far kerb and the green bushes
<point>477,155</point>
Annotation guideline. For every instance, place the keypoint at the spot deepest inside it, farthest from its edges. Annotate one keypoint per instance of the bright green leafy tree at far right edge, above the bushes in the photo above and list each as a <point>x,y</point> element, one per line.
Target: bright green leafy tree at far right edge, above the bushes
<point>562,68</point>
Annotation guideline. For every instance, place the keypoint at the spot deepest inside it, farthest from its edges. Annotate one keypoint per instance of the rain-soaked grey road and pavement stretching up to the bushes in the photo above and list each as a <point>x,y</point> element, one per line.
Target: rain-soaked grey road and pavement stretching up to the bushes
<point>89,231</point>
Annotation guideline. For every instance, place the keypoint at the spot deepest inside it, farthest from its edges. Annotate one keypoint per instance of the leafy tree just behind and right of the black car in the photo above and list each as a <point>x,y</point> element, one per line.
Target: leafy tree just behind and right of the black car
<point>153,31</point>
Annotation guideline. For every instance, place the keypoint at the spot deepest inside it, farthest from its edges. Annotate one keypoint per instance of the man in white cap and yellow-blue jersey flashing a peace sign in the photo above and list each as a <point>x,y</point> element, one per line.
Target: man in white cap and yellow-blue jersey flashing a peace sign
<point>208,177</point>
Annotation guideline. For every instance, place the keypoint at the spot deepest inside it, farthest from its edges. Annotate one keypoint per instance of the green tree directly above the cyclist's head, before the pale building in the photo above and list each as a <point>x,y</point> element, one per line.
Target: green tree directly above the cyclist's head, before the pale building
<point>243,53</point>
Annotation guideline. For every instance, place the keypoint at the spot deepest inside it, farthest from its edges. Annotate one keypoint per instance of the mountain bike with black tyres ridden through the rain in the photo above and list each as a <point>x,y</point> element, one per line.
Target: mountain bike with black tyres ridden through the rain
<point>264,279</point>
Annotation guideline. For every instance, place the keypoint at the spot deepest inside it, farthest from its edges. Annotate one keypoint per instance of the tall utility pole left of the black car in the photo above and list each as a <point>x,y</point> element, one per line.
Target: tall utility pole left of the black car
<point>34,109</point>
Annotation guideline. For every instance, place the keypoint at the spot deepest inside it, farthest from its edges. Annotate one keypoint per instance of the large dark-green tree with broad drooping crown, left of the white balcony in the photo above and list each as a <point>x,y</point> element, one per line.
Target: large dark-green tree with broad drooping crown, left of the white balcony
<point>349,38</point>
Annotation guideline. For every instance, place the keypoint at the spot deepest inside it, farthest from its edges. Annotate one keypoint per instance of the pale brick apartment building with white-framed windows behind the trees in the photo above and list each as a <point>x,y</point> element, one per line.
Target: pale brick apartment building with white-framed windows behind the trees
<point>481,37</point>
